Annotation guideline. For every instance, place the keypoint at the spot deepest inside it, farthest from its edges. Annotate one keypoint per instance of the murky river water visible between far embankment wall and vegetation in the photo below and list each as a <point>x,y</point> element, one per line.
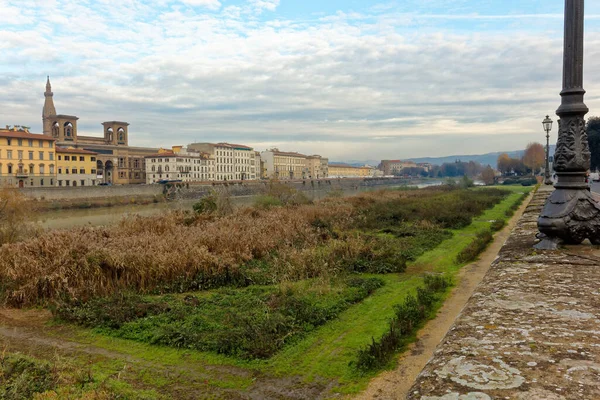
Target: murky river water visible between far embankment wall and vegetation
<point>62,219</point>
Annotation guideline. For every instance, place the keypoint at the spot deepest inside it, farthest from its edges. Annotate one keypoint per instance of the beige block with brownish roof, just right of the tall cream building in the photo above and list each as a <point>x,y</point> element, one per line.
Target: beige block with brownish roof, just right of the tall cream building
<point>284,165</point>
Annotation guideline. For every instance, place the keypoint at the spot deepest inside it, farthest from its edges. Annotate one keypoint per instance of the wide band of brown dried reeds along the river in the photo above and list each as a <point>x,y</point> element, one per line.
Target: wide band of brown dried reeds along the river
<point>180,251</point>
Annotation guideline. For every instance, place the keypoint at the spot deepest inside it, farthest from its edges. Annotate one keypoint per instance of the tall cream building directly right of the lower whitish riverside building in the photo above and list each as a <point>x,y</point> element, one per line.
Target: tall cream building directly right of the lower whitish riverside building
<point>233,162</point>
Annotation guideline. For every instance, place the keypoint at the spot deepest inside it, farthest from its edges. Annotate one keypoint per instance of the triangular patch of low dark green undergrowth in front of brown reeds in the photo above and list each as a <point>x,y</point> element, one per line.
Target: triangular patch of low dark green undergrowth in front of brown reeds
<point>253,322</point>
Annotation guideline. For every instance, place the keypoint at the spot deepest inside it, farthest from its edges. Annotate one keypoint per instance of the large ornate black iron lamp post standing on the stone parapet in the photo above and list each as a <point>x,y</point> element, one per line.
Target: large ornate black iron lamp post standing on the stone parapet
<point>571,214</point>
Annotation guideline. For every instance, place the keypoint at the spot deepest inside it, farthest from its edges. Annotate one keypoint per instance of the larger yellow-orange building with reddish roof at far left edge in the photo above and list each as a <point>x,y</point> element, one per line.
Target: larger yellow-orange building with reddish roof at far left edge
<point>26,159</point>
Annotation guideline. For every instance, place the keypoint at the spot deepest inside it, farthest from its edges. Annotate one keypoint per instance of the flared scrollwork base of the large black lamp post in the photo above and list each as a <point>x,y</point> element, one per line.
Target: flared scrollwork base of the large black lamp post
<point>570,216</point>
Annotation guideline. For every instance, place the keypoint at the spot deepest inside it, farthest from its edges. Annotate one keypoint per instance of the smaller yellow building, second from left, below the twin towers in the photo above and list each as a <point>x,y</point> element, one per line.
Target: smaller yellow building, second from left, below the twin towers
<point>75,167</point>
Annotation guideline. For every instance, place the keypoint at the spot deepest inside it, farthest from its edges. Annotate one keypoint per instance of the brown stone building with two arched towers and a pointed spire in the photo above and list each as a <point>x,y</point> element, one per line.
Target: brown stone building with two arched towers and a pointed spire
<point>116,162</point>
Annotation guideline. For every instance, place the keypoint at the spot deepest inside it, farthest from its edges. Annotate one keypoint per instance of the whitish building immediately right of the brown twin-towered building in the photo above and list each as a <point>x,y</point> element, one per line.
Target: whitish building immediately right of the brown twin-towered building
<point>179,164</point>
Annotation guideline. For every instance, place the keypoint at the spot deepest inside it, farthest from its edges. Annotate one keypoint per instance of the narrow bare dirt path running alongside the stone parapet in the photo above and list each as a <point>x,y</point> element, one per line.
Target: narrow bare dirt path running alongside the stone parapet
<point>396,384</point>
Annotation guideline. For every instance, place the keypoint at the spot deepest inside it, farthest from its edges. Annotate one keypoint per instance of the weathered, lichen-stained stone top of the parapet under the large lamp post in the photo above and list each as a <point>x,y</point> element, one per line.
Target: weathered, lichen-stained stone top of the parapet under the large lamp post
<point>531,330</point>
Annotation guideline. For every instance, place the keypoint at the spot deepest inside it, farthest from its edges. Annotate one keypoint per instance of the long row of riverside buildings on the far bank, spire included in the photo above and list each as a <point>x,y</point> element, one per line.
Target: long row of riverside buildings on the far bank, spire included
<point>61,157</point>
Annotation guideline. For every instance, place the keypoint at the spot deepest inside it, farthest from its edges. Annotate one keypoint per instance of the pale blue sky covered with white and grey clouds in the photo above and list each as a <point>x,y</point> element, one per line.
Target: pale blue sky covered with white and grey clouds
<point>349,79</point>
